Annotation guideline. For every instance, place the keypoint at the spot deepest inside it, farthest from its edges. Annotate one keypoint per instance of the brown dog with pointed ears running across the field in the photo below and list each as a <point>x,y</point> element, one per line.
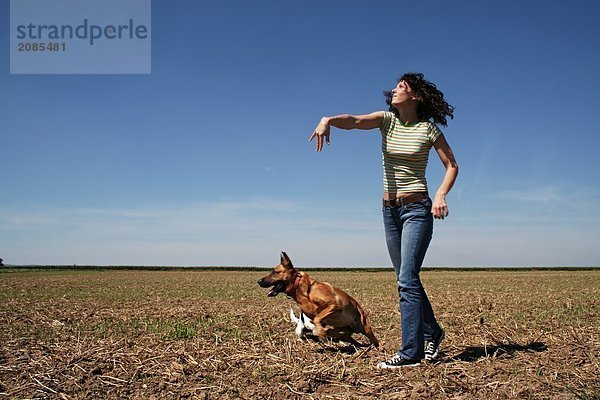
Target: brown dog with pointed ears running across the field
<point>334,313</point>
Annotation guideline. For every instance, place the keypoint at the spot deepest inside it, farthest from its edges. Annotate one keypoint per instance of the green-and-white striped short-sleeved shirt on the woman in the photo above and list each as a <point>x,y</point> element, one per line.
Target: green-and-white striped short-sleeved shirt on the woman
<point>405,151</point>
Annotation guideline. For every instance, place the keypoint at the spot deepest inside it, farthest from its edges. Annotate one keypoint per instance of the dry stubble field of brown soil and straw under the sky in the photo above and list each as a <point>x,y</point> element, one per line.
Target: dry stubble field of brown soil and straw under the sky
<point>215,335</point>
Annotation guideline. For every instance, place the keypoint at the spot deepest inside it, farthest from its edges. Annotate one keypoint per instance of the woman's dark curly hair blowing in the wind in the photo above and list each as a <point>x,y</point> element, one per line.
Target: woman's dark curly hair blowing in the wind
<point>432,105</point>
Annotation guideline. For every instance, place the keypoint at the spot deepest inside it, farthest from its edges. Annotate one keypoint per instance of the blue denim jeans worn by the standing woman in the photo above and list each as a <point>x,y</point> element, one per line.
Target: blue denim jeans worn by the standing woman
<point>408,231</point>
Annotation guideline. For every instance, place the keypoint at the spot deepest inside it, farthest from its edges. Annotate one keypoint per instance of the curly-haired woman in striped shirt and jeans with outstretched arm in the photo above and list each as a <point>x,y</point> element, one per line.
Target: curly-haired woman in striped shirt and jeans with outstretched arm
<point>408,131</point>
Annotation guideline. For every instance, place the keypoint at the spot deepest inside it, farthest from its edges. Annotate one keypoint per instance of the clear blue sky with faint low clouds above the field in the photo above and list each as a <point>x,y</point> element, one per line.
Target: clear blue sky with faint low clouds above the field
<point>206,160</point>
